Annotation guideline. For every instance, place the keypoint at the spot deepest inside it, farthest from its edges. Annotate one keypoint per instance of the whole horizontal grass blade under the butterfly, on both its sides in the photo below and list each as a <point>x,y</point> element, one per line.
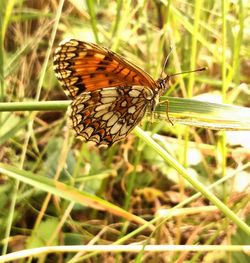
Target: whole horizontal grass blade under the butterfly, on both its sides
<point>183,111</point>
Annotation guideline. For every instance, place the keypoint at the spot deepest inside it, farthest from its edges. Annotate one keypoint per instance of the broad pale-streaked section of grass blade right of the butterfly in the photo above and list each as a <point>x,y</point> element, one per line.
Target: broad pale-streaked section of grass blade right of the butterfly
<point>205,114</point>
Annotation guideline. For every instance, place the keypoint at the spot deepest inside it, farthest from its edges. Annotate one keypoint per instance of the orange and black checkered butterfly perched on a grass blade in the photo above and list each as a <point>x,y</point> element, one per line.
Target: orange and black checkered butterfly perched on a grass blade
<point>110,95</point>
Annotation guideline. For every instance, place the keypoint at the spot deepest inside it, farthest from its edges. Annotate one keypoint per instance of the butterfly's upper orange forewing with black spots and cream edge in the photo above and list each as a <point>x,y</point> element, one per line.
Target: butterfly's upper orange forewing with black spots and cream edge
<point>82,66</point>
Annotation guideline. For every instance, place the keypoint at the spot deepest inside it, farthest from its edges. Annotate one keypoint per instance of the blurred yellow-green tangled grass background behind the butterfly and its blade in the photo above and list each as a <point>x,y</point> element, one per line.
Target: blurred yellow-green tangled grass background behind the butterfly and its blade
<point>130,175</point>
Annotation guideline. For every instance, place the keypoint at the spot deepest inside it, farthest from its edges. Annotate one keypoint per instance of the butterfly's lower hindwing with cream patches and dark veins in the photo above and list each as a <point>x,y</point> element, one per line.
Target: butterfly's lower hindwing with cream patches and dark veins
<point>106,116</point>
